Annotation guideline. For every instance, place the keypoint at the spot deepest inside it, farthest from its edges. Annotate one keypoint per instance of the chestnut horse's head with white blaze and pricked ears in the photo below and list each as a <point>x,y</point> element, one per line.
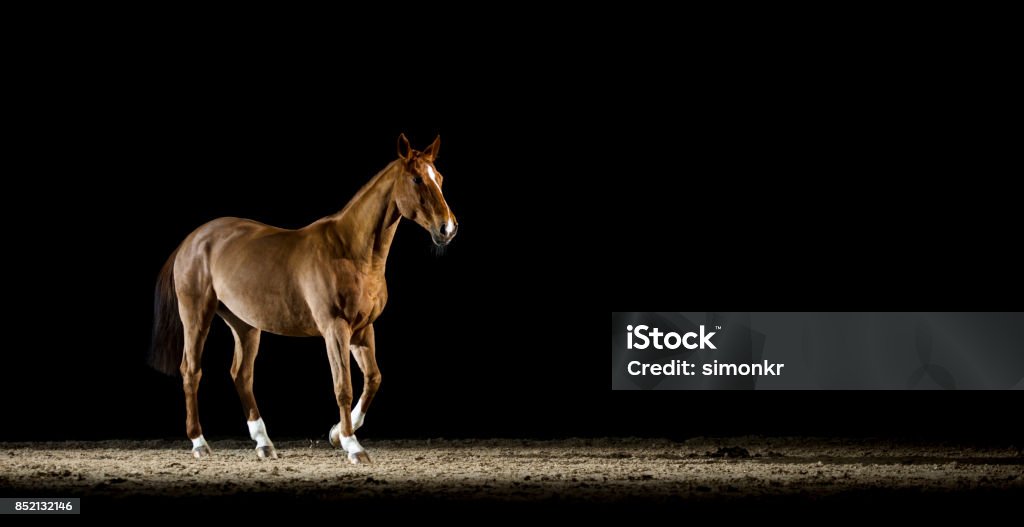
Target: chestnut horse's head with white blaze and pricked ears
<point>418,192</point>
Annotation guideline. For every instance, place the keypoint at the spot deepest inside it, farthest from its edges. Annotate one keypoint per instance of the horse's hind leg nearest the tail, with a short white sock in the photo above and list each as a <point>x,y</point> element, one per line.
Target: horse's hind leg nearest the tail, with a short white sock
<point>196,306</point>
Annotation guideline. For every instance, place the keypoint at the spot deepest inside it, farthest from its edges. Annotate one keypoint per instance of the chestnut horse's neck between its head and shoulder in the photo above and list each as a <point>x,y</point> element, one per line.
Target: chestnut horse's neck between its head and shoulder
<point>366,227</point>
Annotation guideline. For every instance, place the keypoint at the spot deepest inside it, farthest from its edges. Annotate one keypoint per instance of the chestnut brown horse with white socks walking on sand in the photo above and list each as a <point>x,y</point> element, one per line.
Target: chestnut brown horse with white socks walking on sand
<point>326,280</point>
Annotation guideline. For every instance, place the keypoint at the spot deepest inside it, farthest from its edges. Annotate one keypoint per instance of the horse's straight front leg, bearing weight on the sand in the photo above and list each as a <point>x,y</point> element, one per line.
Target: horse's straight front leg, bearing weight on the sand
<point>337,336</point>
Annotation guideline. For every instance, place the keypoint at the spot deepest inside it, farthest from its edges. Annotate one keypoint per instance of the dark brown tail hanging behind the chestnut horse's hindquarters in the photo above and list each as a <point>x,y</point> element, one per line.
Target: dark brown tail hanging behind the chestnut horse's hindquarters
<point>168,333</point>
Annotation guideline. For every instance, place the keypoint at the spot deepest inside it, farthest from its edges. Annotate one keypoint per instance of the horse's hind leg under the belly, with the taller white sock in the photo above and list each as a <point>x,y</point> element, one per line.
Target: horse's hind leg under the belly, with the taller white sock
<point>246,347</point>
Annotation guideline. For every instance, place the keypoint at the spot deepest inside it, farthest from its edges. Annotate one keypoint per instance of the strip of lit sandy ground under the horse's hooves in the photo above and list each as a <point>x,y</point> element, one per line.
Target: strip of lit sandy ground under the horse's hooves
<point>603,472</point>
